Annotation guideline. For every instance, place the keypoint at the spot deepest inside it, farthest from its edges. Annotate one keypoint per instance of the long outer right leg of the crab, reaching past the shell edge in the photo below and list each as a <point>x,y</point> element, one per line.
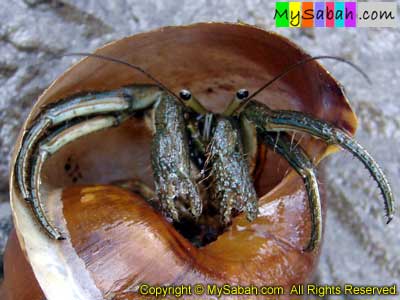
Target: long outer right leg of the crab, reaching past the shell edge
<point>269,120</point>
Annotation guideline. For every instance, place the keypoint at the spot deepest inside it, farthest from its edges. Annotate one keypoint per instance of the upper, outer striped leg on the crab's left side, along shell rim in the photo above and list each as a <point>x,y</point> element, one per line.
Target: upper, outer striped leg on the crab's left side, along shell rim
<point>125,99</point>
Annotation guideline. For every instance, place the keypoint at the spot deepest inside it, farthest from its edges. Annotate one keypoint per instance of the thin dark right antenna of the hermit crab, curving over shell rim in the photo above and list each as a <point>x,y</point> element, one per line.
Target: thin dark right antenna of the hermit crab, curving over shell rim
<point>294,66</point>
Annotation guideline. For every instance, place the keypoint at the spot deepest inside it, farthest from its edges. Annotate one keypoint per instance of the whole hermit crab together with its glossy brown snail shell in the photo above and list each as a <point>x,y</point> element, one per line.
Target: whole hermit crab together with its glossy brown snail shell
<point>184,125</point>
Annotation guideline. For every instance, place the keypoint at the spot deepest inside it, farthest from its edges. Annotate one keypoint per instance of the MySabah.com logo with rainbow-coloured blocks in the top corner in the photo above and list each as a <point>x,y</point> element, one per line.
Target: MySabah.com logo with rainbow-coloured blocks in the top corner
<point>336,14</point>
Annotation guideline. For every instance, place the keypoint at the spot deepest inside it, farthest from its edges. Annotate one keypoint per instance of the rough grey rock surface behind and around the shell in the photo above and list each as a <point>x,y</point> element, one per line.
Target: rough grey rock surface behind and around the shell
<point>358,247</point>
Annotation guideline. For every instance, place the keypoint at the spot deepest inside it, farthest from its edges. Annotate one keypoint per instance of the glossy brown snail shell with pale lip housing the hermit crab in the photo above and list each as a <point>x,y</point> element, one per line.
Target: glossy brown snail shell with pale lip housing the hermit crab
<point>114,239</point>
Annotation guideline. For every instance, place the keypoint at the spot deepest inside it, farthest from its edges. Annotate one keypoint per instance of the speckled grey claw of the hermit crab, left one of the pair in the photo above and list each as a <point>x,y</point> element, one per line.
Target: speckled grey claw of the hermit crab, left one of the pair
<point>175,185</point>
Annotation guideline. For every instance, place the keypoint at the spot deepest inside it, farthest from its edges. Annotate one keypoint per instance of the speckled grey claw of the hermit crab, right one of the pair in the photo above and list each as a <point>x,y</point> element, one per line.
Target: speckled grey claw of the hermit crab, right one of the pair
<point>232,183</point>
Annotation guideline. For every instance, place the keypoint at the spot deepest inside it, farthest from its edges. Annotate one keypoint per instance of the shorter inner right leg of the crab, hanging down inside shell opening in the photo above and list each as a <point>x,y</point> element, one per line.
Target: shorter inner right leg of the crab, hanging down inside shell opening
<point>299,161</point>
